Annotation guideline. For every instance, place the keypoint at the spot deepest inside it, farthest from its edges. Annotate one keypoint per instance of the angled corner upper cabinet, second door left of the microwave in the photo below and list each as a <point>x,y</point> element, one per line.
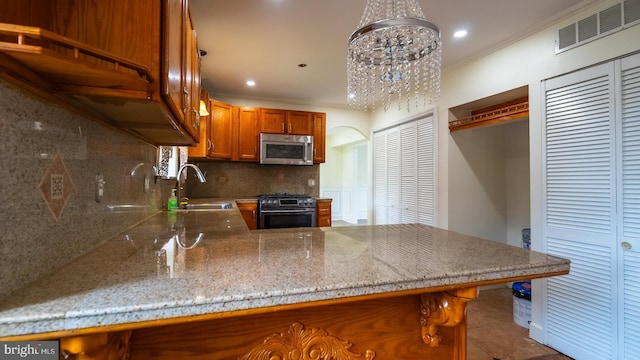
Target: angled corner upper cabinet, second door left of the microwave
<point>220,130</point>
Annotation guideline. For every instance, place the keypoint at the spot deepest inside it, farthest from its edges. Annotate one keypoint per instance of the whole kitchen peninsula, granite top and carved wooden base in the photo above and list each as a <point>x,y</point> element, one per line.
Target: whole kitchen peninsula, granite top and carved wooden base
<point>200,285</point>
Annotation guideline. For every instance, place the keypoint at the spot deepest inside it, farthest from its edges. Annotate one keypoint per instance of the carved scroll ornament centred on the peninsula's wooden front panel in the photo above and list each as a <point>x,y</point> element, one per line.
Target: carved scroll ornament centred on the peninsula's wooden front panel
<point>301,344</point>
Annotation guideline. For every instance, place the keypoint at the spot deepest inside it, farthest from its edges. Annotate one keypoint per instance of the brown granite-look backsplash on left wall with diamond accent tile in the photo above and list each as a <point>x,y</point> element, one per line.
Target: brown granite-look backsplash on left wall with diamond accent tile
<point>50,159</point>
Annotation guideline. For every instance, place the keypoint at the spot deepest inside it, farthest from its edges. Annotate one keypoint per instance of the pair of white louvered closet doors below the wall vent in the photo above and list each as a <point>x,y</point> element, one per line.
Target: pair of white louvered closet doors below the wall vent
<point>592,210</point>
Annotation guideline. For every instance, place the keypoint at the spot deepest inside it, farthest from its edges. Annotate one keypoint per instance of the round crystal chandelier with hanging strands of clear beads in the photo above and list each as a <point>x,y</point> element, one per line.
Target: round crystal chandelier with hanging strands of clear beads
<point>394,55</point>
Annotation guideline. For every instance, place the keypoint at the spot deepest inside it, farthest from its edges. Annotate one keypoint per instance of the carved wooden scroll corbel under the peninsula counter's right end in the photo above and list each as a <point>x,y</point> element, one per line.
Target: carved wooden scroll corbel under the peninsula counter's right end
<point>442,309</point>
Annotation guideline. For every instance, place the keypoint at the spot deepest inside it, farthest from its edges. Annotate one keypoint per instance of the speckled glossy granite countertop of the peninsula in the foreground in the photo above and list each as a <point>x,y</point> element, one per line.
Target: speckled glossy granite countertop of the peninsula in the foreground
<point>190,263</point>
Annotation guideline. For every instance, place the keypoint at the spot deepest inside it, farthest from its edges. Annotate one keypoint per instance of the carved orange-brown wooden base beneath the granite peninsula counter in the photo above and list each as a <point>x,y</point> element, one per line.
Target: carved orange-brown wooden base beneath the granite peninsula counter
<point>414,326</point>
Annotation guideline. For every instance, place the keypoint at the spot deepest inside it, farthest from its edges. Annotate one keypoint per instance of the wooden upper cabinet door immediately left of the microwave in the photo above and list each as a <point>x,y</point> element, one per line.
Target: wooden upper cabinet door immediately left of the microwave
<point>248,135</point>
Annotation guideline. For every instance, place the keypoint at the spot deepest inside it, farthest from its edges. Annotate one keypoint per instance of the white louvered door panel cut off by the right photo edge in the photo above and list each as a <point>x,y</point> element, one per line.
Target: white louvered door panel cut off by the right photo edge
<point>629,200</point>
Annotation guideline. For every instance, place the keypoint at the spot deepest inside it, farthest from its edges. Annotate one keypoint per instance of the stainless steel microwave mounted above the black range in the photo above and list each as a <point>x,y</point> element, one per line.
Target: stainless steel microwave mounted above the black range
<point>286,149</point>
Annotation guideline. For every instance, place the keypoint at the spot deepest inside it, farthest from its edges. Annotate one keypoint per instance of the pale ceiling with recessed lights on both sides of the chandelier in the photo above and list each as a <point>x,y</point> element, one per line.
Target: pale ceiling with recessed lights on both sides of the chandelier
<point>265,40</point>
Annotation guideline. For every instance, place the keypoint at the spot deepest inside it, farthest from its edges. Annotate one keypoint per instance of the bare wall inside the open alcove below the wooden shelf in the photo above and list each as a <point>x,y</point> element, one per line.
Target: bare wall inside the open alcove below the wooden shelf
<point>489,195</point>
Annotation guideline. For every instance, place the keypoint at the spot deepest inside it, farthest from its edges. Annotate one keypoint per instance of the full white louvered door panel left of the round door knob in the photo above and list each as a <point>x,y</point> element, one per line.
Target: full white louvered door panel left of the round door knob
<point>579,213</point>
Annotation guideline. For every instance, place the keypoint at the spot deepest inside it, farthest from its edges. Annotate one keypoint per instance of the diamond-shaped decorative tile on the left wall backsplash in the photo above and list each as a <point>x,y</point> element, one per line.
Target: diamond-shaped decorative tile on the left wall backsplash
<point>56,186</point>
